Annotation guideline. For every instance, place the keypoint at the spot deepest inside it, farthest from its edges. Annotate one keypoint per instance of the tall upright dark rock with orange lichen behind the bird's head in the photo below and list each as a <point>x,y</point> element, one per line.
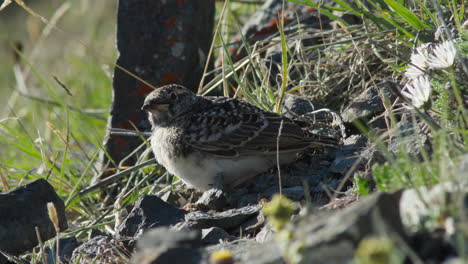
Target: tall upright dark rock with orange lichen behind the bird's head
<point>163,42</point>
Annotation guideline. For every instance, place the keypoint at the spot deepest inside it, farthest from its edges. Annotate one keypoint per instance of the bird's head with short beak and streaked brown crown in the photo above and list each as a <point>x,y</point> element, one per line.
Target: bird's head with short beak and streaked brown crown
<point>167,102</point>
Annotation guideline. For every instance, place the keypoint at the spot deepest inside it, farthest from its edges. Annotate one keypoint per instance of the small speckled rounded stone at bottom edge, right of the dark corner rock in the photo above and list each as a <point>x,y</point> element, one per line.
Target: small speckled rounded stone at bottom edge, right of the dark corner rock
<point>100,249</point>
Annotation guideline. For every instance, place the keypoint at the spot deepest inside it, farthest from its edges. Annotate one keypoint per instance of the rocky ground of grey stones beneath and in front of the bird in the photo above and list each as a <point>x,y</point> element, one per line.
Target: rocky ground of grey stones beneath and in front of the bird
<point>327,225</point>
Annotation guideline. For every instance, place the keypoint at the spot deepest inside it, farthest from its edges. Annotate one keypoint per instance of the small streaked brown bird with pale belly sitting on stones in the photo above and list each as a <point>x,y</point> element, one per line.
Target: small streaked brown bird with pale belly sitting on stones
<point>199,138</point>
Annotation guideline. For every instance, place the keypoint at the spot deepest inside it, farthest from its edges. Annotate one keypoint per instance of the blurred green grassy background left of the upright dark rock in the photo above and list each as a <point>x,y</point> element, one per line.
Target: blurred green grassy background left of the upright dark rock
<point>78,50</point>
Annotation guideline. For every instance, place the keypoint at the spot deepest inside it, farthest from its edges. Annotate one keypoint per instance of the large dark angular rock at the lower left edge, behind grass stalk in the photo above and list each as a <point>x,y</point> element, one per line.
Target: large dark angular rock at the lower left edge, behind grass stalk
<point>25,208</point>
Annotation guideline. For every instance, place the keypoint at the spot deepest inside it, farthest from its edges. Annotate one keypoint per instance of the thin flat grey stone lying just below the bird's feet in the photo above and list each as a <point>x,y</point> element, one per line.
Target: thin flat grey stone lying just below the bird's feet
<point>226,220</point>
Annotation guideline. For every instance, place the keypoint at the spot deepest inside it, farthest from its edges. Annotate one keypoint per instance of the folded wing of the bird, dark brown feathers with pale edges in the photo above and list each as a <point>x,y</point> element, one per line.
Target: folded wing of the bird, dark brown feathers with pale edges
<point>230,128</point>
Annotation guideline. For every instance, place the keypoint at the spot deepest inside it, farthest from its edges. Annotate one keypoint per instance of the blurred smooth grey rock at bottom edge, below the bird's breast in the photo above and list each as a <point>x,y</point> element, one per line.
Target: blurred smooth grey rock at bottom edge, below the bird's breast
<point>161,245</point>
